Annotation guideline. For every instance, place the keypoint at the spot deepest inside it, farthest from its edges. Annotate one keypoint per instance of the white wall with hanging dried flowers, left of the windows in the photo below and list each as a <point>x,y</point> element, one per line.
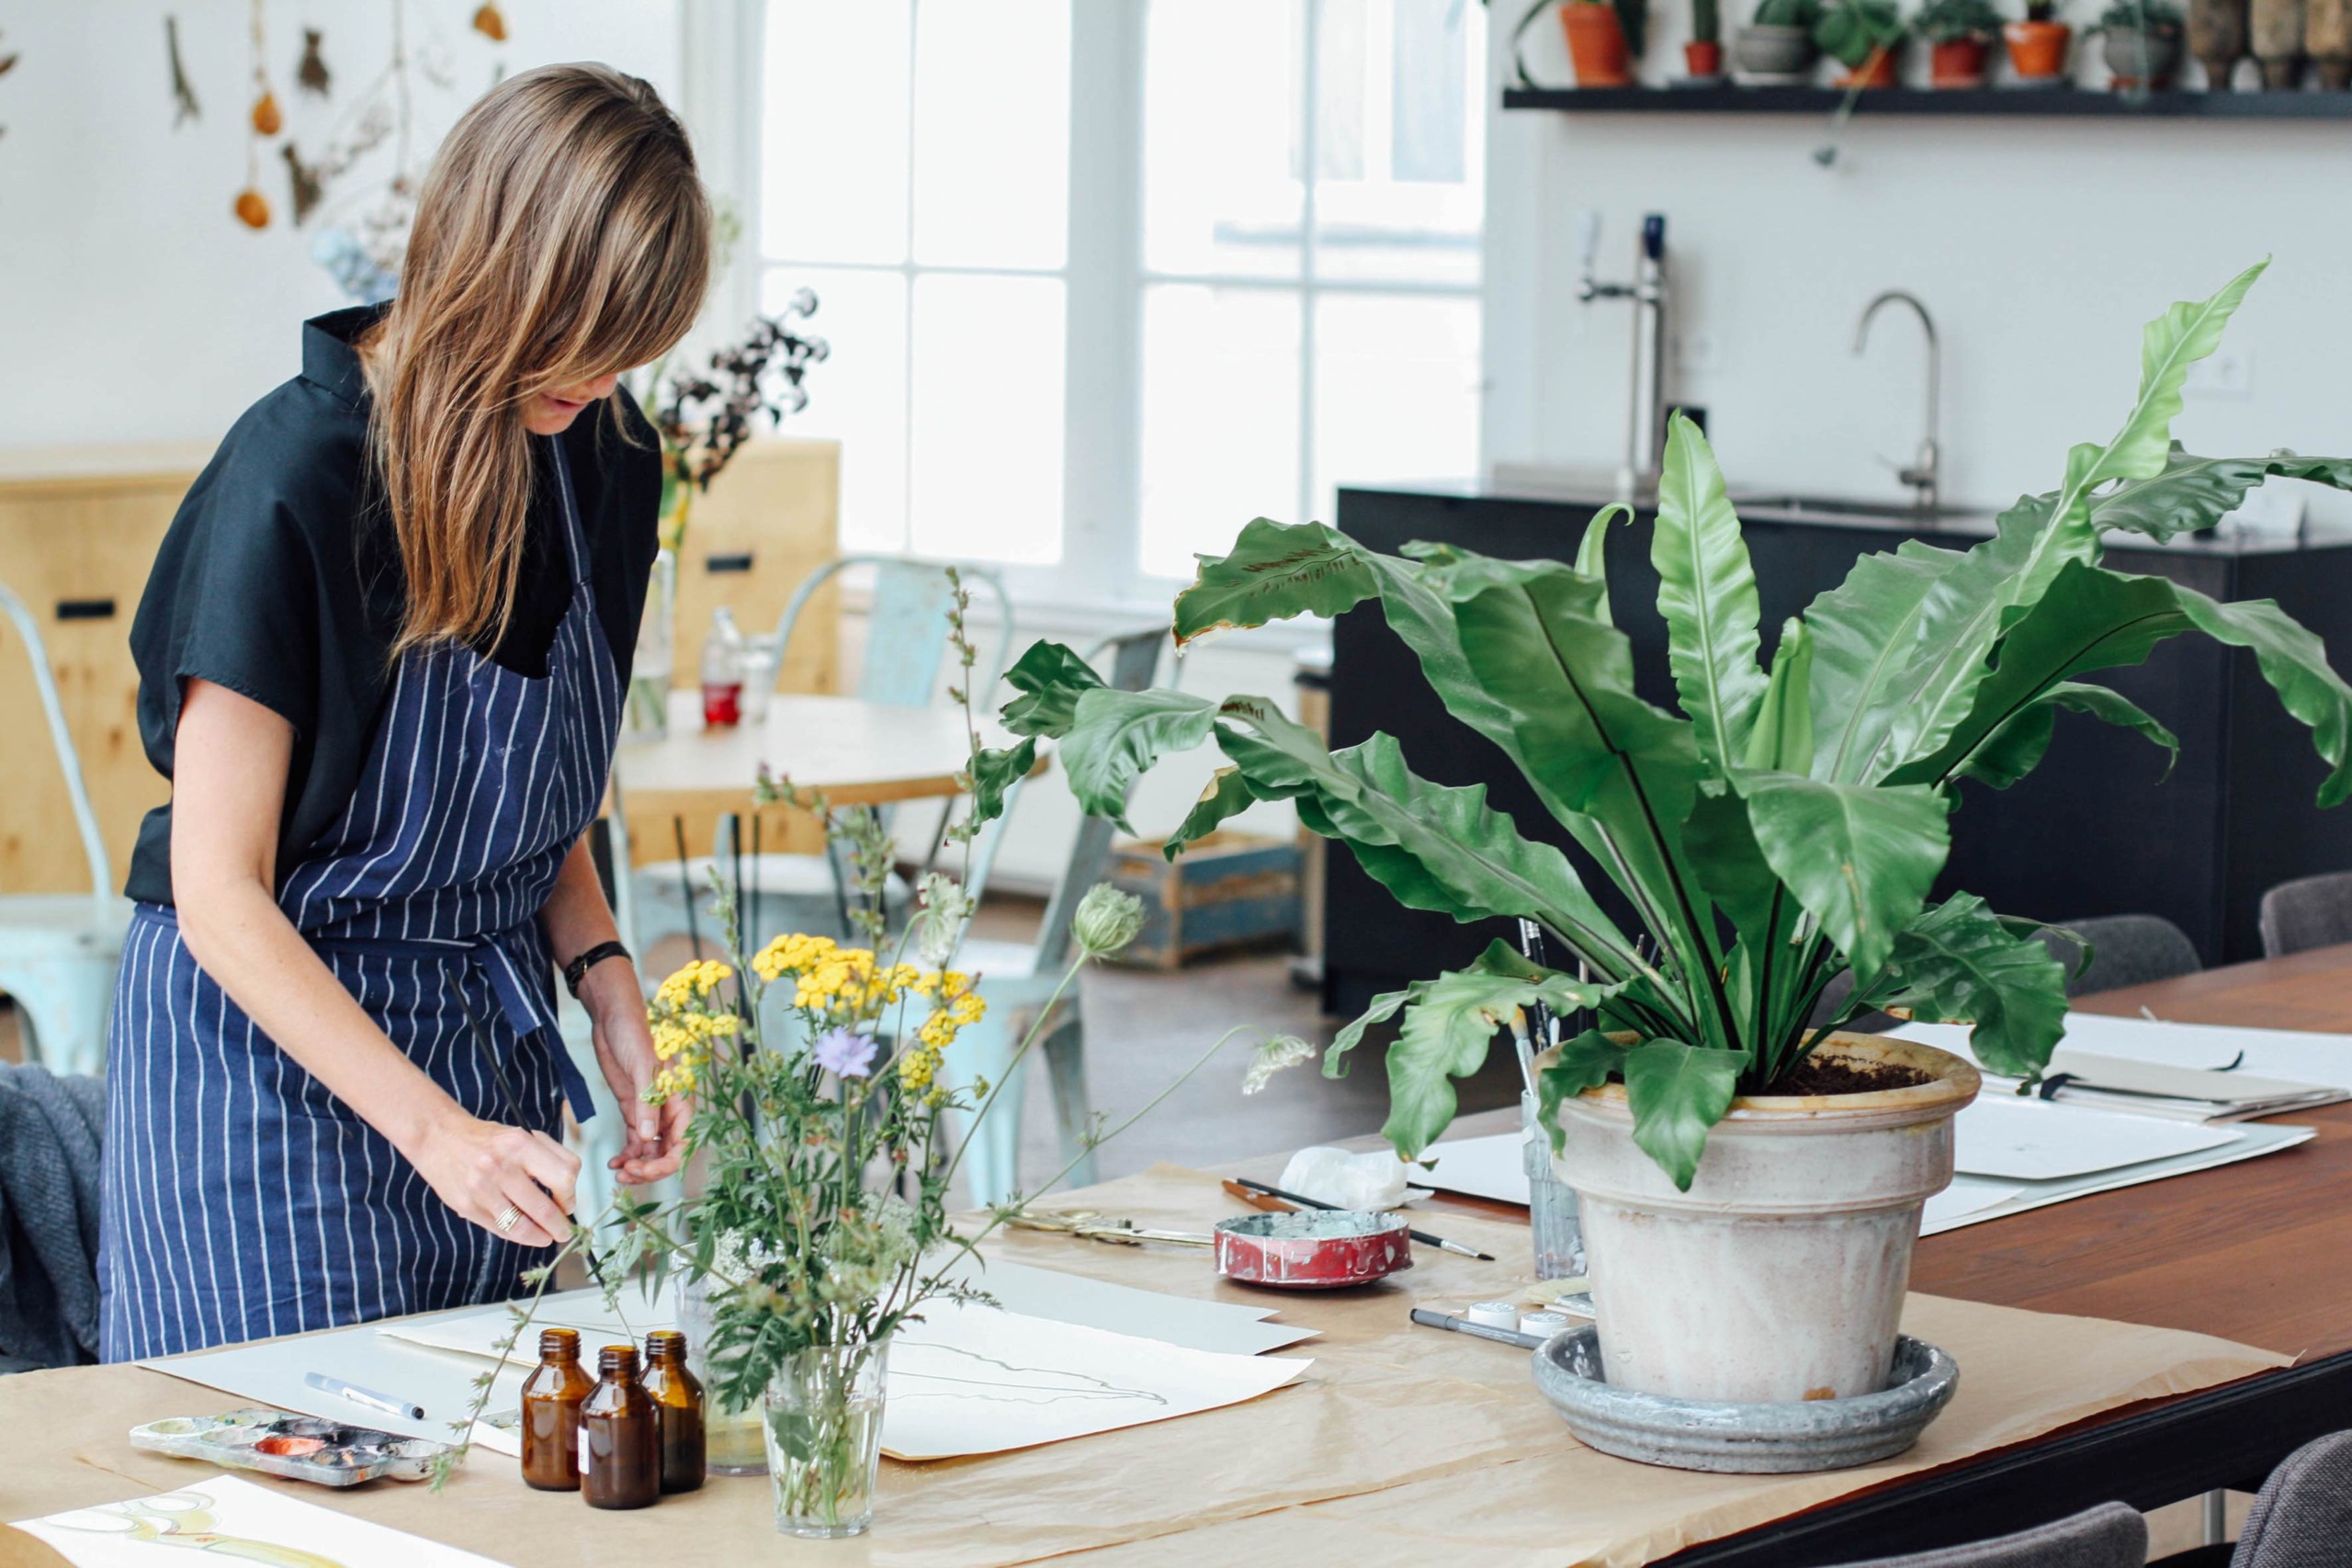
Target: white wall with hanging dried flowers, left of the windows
<point>133,304</point>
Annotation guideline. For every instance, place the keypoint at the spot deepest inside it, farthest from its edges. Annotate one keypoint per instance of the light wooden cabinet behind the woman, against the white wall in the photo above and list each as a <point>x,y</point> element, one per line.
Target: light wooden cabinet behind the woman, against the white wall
<point>79,532</point>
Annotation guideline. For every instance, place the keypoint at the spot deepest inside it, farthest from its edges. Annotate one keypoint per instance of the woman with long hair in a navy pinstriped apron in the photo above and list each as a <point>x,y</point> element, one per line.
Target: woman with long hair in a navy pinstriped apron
<point>382,662</point>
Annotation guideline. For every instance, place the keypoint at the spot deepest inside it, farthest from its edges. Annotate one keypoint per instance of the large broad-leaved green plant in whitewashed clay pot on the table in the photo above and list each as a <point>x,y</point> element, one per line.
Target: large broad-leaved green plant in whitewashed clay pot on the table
<point>1751,1184</point>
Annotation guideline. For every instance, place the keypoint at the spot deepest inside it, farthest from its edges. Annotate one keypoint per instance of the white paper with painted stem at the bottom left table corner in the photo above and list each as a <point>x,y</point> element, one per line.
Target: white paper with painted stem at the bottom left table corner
<point>236,1520</point>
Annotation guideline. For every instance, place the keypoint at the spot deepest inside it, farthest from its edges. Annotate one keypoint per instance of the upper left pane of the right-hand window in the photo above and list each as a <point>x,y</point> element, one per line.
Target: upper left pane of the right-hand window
<point>1220,116</point>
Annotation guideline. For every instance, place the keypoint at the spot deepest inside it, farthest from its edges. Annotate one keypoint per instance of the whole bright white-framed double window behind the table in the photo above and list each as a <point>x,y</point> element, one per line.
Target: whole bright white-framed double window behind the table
<point>1107,279</point>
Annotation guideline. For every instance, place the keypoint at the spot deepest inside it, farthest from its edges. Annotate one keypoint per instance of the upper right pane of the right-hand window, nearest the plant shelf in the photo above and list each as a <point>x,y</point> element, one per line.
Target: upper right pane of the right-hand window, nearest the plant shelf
<point>1401,100</point>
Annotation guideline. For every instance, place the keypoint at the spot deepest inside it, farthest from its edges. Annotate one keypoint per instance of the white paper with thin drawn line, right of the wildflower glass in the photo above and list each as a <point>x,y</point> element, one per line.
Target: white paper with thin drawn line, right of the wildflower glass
<point>984,1381</point>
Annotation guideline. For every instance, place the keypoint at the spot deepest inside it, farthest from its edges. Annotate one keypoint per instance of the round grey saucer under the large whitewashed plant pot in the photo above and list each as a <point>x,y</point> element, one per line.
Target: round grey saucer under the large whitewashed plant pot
<point>1744,1438</point>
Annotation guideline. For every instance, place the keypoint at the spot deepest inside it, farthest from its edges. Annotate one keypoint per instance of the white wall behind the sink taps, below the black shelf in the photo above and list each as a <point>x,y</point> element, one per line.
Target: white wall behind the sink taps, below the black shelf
<point>2040,246</point>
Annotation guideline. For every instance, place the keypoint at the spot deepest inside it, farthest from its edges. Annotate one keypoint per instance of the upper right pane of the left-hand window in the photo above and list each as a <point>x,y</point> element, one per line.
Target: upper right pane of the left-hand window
<point>991,133</point>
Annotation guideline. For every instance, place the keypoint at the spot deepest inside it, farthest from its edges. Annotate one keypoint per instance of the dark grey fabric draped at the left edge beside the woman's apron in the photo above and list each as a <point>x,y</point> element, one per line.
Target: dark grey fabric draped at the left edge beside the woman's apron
<point>51,1139</point>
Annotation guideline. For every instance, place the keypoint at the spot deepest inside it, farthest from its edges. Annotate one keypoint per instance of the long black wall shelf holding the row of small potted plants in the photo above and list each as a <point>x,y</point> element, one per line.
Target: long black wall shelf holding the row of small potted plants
<point>2062,102</point>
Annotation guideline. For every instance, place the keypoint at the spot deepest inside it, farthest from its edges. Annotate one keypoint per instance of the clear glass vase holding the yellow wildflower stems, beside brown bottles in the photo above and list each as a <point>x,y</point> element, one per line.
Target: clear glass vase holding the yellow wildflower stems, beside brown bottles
<point>824,1438</point>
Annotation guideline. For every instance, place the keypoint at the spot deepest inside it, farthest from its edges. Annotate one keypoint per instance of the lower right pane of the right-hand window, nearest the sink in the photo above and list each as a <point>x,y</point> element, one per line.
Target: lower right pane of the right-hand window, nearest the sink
<point>1396,391</point>
